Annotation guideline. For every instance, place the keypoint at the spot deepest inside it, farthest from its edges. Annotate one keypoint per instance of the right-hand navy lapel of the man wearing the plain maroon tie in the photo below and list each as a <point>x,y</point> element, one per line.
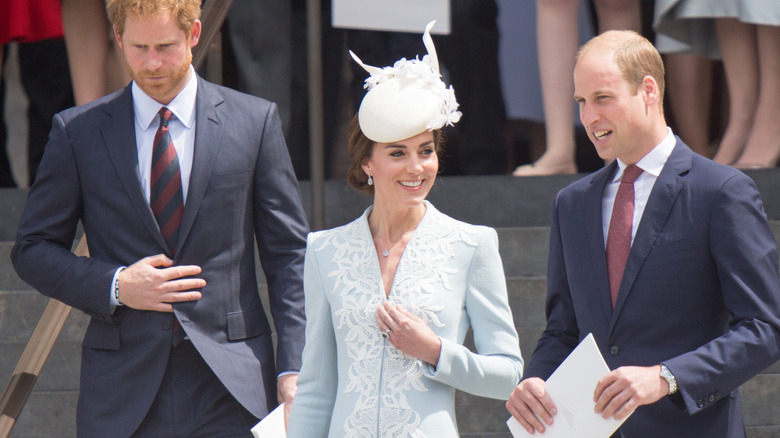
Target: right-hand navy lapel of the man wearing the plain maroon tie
<point>665,191</point>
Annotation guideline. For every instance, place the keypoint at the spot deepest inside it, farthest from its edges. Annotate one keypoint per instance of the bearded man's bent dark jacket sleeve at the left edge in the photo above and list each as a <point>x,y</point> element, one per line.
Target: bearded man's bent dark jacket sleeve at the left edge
<point>41,254</point>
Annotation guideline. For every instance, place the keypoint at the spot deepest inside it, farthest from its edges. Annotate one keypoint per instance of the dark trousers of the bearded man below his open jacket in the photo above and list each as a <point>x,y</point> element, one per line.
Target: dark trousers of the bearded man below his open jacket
<point>193,403</point>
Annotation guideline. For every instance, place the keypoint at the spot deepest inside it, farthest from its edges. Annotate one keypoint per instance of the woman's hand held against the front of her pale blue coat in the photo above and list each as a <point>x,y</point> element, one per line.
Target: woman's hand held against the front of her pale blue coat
<point>408,333</point>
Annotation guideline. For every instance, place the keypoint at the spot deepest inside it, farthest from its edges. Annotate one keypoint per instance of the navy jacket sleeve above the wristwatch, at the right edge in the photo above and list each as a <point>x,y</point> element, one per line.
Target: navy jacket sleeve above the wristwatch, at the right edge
<point>744,251</point>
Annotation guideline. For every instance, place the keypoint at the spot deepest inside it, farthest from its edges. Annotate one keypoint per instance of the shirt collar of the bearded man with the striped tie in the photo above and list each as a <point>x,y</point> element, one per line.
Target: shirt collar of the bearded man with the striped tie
<point>182,106</point>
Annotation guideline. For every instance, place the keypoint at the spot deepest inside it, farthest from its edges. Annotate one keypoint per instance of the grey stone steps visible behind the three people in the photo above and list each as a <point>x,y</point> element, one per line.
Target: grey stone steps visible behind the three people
<point>518,207</point>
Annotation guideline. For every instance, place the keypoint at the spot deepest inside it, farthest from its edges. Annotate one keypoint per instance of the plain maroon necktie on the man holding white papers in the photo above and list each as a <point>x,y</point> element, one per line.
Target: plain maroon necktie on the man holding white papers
<point>619,236</point>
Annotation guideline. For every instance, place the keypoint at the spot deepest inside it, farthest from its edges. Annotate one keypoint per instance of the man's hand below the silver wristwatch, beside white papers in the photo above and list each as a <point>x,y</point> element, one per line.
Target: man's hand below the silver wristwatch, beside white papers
<point>623,390</point>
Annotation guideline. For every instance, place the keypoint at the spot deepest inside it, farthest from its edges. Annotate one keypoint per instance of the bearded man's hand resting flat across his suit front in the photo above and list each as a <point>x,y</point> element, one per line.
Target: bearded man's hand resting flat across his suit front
<point>152,284</point>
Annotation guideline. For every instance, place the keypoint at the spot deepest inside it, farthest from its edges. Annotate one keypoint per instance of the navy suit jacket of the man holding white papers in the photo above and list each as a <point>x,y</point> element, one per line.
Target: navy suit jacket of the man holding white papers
<point>700,292</point>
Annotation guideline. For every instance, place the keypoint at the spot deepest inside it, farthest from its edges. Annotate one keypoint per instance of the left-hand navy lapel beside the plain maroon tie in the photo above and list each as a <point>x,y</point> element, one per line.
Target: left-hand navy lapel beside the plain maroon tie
<point>594,230</point>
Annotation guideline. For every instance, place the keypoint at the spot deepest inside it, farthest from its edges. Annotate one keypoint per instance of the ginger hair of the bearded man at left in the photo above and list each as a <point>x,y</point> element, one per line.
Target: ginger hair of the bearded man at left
<point>185,11</point>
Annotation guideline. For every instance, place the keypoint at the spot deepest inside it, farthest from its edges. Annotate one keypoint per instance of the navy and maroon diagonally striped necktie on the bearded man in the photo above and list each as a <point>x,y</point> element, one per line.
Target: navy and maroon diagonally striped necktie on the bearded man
<point>166,193</point>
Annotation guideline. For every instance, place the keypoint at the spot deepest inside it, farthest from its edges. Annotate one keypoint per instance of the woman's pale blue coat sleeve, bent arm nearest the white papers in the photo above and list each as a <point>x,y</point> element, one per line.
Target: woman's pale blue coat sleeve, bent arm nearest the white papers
<point>497,366</point>
